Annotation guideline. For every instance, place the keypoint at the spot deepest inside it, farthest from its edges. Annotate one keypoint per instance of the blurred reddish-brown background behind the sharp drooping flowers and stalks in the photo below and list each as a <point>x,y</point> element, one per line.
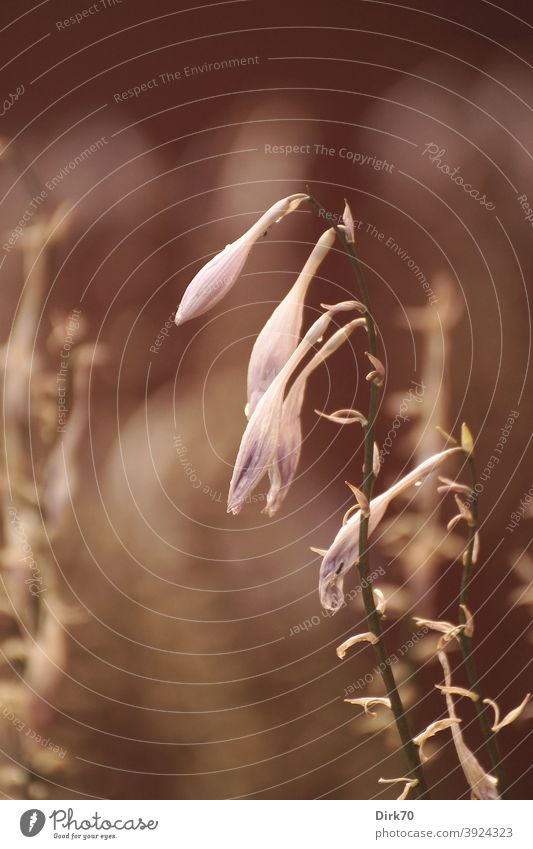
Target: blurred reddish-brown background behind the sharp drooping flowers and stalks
<point>152,645</point>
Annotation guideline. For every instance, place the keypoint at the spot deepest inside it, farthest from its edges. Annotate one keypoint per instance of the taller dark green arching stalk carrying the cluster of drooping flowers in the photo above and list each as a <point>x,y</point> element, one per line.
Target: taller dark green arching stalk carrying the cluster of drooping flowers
<point>420,790</point>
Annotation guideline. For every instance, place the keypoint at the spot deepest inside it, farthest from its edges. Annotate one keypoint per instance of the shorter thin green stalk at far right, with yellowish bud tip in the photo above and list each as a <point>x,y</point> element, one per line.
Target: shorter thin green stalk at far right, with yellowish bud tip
<point>466,641</point>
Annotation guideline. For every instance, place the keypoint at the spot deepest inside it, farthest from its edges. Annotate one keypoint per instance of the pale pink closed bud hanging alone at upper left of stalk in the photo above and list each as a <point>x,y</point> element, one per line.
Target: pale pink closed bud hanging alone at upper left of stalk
<point>217,277</point>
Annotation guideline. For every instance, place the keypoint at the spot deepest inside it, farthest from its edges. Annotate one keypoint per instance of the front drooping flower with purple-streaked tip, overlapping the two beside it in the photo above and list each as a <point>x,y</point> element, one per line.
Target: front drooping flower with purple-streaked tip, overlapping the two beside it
<point>260,439</point>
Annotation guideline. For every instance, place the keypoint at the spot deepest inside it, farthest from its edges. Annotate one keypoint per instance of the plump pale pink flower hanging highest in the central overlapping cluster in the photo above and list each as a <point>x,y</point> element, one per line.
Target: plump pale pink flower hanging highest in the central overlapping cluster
<point>280,335</point>
